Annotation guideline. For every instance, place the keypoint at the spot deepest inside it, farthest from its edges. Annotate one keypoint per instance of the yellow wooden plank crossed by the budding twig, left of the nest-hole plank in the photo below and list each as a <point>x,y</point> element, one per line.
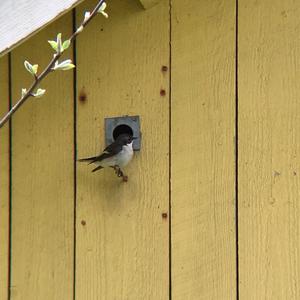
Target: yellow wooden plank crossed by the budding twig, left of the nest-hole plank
<point>42,176</point>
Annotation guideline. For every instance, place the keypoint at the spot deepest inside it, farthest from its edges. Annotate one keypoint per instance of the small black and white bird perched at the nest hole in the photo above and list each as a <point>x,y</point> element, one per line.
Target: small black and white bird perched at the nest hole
<point>116,155</point>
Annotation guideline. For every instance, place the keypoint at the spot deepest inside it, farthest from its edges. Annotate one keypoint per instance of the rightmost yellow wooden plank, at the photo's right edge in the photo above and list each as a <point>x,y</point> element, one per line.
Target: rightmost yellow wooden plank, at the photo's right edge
<point>269,147</point>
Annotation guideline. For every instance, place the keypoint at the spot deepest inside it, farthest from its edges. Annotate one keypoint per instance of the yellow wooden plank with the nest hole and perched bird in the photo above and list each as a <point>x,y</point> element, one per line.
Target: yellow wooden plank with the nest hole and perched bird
<point>122,239</point>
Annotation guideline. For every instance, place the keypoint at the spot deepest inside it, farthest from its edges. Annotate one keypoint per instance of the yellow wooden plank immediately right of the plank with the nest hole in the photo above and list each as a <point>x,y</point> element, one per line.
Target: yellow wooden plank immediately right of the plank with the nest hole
<point>202,150</point>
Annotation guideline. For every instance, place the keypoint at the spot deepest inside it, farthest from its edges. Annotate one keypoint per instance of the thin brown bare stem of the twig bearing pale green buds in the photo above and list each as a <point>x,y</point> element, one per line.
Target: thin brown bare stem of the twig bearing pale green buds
<point>48,69</point>
